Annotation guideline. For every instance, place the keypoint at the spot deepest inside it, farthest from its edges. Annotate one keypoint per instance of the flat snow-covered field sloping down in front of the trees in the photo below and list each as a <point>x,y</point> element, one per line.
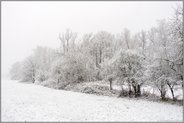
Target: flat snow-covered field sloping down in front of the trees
<point>30,102</point>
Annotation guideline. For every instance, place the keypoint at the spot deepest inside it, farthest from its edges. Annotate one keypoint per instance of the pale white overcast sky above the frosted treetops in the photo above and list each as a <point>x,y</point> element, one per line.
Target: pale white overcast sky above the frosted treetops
<point>24,25</point>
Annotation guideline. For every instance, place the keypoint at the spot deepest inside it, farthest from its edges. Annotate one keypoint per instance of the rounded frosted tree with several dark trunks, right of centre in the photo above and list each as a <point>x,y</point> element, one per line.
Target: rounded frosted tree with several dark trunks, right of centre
<point>129,68</point>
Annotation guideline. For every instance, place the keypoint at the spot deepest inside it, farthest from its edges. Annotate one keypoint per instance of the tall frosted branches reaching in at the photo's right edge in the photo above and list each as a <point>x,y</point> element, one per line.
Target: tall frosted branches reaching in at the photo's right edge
<point>177,40</point>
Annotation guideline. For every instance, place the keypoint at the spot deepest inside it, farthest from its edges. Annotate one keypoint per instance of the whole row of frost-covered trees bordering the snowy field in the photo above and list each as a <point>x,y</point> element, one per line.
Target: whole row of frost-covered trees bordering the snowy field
<point>153,57</point>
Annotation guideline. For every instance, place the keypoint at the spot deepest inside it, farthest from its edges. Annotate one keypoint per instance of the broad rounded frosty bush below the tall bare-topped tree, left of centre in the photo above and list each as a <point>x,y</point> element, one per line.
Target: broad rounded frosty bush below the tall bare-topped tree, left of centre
<point>71,68</point>
